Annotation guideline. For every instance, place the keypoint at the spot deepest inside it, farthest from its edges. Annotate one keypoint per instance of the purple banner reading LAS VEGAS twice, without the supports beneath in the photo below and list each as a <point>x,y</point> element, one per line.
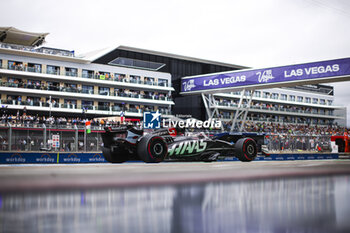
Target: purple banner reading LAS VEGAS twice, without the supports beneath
<point>307,71</point>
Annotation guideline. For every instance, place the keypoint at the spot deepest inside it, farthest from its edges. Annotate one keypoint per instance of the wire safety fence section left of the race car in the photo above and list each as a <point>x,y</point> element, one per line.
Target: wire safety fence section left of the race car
<point>18,137</point>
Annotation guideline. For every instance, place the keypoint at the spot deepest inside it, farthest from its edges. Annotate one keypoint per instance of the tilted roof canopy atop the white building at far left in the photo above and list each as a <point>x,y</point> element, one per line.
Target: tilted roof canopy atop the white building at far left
<point>13,35</point>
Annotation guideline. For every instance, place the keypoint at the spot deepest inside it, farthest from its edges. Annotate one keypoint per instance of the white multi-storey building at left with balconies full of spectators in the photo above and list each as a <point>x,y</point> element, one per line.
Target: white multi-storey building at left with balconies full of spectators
<point>51,81</point>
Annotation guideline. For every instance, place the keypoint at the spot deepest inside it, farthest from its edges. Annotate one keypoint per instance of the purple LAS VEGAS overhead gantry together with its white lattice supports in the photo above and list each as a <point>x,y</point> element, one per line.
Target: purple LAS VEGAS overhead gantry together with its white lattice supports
<point>247,81</point>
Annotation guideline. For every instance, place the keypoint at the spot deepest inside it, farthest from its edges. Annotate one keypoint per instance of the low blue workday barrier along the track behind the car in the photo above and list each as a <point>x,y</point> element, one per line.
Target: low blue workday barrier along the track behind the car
<point>66,157</point>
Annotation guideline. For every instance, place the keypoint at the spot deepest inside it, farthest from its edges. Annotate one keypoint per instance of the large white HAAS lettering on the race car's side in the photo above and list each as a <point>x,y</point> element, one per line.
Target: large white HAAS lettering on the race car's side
<point>188,147</point>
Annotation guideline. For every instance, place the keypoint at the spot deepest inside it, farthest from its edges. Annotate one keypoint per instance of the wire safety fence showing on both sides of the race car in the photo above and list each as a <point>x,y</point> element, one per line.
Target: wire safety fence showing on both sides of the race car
<point>39,137</point>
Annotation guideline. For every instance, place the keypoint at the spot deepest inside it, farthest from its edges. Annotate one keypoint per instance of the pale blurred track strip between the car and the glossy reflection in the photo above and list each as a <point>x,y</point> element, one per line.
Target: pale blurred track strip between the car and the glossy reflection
<point>50,177</point>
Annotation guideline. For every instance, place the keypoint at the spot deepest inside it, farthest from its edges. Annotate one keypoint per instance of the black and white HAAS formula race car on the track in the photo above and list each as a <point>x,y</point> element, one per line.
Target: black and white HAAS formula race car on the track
<point>129,143</point>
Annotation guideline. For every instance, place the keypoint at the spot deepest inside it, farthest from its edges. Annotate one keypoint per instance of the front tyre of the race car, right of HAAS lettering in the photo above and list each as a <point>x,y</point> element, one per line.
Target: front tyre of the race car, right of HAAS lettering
<point>246,149</point>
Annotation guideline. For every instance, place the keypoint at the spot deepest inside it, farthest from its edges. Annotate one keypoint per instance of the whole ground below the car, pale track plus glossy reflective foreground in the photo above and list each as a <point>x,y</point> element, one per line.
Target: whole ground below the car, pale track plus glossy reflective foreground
<point>260,196</point>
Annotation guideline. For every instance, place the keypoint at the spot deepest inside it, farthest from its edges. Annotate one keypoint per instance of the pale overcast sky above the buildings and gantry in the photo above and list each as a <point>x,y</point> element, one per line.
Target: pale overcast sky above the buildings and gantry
<point>255,33</point>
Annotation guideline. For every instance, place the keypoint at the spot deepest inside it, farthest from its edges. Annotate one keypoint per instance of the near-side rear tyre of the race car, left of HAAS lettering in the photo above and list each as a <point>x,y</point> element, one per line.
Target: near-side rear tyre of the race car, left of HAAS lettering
<point>152,149</point>
